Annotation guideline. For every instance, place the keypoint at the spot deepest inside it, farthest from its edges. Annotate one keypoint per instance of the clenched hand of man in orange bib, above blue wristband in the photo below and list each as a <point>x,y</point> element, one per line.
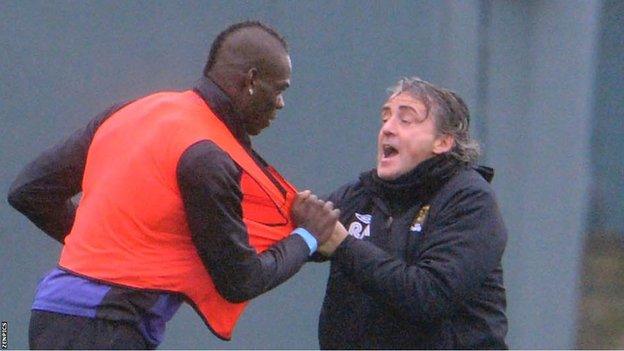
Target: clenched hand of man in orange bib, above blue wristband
<point>315,215</point>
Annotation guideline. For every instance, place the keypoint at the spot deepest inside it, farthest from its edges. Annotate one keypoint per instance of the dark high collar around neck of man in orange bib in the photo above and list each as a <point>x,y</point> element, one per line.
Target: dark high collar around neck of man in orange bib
<point>221,104</point>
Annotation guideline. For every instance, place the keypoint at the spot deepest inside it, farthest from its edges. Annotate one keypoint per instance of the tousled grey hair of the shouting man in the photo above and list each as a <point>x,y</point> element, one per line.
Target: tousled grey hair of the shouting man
<point>450,113</point>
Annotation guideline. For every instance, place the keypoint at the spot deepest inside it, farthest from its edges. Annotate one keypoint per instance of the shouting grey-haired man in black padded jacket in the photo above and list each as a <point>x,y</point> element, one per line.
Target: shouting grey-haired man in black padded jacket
<point>417,264</point>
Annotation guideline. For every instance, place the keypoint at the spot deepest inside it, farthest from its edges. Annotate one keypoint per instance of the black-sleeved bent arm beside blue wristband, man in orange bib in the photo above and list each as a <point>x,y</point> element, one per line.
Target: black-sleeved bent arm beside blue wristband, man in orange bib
<point>210,187</point>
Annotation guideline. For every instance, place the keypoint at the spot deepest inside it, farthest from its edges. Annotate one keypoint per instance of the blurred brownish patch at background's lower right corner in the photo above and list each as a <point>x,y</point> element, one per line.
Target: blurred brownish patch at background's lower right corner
<point>601,317</point>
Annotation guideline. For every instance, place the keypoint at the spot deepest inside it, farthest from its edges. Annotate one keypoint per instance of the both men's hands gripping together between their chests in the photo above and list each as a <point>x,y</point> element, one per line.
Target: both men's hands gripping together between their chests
<point>320,218</point>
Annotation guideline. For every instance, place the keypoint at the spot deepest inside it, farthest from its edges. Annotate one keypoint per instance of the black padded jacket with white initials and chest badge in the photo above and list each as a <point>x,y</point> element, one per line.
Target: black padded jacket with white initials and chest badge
<point>421,268</point>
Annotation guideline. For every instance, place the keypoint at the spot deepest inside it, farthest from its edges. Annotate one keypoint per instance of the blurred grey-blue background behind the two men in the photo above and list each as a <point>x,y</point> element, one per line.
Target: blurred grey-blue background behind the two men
<point>543,79</point>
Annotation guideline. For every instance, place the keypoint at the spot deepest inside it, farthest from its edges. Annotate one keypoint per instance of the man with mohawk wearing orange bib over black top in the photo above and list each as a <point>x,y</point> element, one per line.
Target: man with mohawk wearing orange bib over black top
<point>176,206</point>
